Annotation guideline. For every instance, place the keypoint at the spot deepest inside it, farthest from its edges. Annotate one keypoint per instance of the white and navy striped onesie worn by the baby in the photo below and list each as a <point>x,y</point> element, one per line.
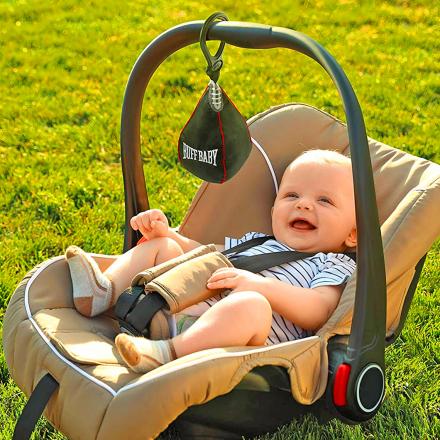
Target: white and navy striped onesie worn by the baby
<point>322,269</point>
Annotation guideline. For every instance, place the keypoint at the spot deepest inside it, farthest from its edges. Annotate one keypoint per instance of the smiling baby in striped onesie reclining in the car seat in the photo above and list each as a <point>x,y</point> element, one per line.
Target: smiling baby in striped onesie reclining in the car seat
<point>313,212</point>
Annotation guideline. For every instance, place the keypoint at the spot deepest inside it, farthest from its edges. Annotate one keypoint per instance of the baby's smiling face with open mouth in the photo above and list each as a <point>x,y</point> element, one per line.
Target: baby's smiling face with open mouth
<point>314,209</point>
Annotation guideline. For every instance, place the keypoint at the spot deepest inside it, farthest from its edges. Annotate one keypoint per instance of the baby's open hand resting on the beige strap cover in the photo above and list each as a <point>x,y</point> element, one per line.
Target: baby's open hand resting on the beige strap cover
<point>237,280</point>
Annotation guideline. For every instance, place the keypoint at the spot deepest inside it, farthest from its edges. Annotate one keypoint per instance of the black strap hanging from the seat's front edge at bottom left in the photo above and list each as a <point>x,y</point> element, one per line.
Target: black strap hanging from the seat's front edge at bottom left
<point>34,407</point>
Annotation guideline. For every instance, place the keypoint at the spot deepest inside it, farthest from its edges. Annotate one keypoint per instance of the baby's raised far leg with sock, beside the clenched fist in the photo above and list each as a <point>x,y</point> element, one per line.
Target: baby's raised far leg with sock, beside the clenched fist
<point>95,292</point>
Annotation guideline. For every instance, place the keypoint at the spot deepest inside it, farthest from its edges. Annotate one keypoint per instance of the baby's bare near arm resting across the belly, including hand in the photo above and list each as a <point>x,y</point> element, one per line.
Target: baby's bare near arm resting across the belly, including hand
<point>307,308</point>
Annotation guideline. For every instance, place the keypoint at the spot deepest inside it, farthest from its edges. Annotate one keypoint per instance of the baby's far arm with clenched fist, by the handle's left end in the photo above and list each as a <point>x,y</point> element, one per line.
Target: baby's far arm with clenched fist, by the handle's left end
<point>154,223</point>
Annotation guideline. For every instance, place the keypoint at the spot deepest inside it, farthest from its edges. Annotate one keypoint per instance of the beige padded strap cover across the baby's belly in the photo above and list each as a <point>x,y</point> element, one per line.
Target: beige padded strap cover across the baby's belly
<point>185,285</point>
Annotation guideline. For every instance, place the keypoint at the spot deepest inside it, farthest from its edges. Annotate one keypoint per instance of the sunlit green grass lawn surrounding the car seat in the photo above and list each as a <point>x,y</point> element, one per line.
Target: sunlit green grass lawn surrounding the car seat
<point>64,66</point>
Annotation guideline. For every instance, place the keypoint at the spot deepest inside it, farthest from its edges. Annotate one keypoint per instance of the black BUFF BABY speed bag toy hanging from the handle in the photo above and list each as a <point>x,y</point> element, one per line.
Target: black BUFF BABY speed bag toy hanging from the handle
<point>215,142</point>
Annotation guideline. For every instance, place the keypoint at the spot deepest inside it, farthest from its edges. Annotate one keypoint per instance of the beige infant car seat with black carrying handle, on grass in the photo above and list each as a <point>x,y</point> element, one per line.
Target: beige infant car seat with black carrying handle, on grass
<point>59,356</point>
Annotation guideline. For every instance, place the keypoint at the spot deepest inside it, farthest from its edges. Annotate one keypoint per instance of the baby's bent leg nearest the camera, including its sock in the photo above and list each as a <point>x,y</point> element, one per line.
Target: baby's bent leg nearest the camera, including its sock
<point>242,318</point>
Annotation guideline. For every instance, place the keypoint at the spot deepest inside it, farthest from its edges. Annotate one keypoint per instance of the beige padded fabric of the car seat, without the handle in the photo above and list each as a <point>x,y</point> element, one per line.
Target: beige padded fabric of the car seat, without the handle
<point>99,397</point>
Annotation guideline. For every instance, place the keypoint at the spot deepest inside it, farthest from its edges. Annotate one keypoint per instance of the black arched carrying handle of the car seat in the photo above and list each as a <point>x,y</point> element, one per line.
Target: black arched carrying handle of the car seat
<point>367,339</point>
